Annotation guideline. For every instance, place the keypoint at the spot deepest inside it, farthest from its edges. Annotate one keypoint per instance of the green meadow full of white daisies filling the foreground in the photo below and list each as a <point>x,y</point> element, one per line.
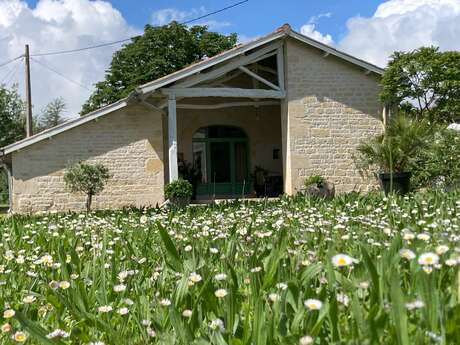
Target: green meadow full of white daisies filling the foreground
<point>354,270</point>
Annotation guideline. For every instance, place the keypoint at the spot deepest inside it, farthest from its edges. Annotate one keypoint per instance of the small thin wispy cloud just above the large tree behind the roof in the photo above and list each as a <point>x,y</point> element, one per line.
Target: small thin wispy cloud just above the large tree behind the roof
<point>167,15</point>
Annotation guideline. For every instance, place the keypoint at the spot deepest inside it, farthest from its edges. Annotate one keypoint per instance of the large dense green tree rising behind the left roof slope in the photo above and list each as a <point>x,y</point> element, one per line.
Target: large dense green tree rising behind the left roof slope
<point>161,50</point>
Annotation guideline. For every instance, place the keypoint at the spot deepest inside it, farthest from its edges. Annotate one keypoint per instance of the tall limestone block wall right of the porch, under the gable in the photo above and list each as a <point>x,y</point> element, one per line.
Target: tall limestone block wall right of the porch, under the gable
<point>331,106</point>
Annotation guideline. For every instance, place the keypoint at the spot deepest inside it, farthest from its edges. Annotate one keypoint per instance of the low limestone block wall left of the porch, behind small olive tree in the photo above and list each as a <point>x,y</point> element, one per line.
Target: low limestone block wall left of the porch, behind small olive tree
<point>128,142</point>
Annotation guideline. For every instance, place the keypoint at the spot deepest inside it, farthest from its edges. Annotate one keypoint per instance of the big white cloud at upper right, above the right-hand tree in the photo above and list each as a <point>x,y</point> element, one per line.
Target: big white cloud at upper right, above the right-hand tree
<point>403,25</point>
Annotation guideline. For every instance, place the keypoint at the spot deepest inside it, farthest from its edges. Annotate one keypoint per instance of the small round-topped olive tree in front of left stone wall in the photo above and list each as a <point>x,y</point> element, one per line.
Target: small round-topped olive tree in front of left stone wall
<point>86,178</point>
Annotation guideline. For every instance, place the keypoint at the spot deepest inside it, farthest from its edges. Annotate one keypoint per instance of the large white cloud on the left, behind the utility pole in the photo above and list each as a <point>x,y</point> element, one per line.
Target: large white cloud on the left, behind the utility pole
<point>54,25</point>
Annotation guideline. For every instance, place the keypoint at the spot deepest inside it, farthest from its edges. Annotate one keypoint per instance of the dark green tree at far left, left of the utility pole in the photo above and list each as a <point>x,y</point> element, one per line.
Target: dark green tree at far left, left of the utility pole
<point>11,116</point>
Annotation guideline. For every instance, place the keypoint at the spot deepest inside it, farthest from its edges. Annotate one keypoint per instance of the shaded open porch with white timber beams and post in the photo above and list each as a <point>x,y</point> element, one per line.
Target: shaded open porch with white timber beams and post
<point>225,125</point>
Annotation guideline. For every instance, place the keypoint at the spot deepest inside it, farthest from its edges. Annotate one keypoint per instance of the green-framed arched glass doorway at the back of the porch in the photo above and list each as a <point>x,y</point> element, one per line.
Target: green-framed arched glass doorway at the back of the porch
<point>221,156</point>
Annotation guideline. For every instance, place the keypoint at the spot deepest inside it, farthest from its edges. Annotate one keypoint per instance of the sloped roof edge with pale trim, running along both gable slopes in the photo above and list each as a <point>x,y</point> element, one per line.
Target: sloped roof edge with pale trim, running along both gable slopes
<point>283,31</point>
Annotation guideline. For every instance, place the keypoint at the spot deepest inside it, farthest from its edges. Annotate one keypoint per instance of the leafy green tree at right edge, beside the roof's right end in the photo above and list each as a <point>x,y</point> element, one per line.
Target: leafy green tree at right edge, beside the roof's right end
<point>424,83</point>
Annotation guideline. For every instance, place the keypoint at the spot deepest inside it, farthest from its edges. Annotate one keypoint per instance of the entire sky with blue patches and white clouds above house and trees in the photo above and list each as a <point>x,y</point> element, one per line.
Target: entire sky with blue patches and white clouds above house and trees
<point>369,29</point>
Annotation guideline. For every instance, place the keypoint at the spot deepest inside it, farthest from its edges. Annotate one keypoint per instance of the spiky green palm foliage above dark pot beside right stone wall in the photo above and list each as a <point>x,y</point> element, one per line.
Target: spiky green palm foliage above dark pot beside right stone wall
<point>394,150</point>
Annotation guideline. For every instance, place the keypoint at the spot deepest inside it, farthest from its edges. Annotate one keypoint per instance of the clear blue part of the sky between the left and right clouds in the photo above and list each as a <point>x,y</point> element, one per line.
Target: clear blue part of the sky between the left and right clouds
<point>256,17</point>
